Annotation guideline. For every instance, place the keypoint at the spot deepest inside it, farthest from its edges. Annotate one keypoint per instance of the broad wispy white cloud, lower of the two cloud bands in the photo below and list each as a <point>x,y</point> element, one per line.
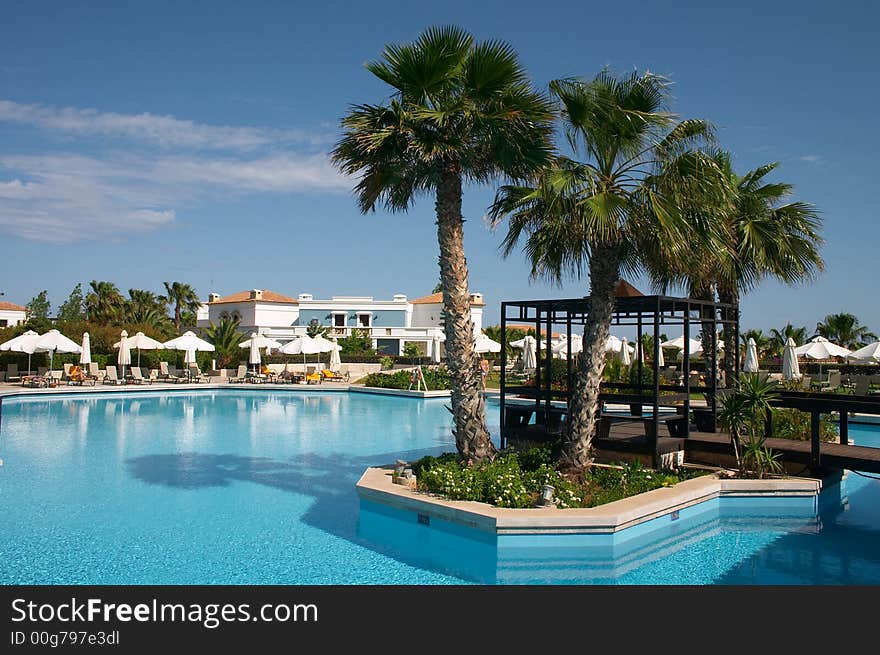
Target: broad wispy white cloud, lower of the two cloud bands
<point>64,198</point>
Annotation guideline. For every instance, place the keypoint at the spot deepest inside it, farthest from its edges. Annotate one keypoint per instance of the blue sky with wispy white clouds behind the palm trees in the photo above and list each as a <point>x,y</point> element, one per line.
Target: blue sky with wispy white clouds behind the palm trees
<point>144,142</point>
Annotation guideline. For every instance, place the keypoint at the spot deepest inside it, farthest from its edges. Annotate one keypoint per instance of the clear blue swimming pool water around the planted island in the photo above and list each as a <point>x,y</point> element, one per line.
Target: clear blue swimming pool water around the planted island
<point>256,487</point>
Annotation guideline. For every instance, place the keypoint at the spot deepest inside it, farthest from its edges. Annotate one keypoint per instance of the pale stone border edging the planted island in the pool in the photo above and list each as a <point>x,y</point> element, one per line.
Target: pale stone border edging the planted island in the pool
<point>375,485</point>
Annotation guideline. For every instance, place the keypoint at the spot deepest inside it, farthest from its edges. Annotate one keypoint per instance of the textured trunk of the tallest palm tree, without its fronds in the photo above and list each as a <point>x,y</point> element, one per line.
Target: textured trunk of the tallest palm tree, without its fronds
<point>468,406</point>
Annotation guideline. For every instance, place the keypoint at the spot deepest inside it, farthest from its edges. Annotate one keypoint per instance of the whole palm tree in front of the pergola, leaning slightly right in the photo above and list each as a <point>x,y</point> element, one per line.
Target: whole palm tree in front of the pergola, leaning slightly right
<point>600,216</point>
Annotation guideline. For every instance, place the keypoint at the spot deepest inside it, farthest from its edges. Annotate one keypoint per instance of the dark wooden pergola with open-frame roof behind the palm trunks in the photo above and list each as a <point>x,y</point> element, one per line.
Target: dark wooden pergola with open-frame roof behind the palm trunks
<point>650,315</point>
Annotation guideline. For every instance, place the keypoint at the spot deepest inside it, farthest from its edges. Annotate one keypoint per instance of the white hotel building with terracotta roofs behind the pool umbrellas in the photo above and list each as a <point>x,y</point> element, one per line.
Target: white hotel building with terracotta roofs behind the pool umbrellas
<point>390,323</point>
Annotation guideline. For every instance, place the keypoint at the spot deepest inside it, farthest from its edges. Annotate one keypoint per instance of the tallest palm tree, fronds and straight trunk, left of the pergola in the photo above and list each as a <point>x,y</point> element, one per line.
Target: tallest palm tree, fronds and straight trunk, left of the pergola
<point>460,110</point>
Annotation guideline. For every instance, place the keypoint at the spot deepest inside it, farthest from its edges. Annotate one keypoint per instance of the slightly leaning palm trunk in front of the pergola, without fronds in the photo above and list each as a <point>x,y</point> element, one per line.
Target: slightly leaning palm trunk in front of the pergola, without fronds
<point>583,410</point>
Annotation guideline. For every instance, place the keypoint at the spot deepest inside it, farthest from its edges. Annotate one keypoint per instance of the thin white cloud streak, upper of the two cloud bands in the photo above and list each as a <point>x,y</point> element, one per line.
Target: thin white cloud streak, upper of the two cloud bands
<point>161,131</point>
